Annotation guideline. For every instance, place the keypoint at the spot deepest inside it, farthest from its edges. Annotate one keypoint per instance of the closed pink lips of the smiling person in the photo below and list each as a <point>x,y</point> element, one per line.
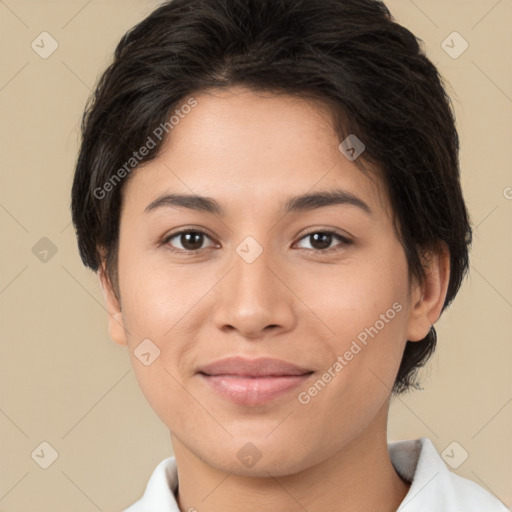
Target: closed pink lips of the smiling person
<point>253,381</point>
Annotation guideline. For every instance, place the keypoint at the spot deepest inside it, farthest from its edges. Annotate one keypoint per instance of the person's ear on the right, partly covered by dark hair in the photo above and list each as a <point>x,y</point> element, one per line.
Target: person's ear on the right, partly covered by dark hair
<point>427,298</point>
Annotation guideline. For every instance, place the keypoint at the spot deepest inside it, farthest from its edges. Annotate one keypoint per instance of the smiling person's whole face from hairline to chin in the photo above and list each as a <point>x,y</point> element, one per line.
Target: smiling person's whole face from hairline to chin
<point>320,285</point>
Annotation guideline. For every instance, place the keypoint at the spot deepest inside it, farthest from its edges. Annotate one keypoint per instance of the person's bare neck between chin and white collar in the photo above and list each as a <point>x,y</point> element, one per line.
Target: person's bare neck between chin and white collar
<point>358,477</point>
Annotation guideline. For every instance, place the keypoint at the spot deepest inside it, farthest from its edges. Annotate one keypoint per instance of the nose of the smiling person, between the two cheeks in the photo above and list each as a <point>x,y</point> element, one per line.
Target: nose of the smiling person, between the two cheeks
<point>255,299</point>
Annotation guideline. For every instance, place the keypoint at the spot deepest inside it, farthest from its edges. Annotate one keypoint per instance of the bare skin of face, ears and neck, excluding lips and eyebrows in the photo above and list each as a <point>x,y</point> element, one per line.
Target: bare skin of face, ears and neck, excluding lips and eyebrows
<point>250,151</point>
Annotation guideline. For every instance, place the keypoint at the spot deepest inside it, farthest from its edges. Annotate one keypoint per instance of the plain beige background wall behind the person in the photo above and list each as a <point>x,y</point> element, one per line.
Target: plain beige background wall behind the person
<point>64,382</point>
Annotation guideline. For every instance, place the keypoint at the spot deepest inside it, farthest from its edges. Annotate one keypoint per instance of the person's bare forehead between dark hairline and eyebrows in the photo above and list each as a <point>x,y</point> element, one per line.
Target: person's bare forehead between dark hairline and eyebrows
<point>248,149</point>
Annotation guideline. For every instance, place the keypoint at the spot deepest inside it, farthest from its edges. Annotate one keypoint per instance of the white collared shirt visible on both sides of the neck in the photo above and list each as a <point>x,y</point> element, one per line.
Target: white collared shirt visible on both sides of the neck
<point>434,488</point>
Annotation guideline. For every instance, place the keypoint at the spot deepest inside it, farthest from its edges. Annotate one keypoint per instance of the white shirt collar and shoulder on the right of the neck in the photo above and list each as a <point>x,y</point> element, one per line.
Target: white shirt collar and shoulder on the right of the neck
<point>434,487</point>
